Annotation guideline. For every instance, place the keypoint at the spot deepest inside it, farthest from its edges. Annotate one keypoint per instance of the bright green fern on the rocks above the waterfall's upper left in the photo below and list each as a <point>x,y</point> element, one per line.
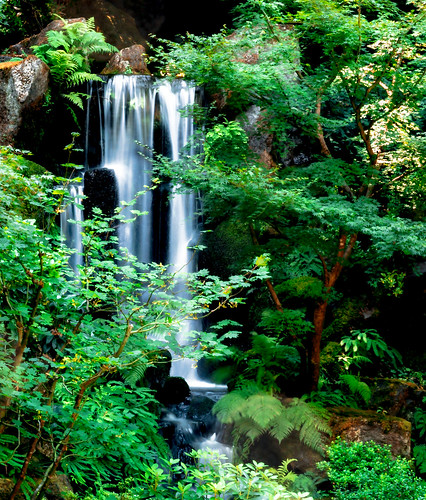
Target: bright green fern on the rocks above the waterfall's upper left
<point>67,53</point>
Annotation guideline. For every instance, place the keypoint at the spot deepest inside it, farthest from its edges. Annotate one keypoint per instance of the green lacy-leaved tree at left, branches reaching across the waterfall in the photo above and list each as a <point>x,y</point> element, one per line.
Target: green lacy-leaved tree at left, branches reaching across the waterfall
<point>71,337</point>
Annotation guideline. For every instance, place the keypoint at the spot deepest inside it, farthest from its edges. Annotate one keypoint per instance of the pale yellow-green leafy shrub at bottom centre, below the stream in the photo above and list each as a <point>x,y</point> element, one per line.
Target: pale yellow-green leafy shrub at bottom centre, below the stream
<point>207,477</point>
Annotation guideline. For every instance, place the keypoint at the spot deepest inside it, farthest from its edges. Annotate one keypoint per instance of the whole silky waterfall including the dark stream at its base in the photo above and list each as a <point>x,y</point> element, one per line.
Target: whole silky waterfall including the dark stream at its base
<point>129,109</point>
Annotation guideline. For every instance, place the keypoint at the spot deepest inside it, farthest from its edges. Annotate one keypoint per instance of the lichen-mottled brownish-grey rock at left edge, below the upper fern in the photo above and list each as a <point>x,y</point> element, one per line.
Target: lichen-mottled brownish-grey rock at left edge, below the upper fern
<point>22,87</point>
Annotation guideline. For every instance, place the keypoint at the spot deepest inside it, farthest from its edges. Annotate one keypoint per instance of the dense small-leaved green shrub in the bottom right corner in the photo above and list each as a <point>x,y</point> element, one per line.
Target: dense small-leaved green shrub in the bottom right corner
<point>368,471</point>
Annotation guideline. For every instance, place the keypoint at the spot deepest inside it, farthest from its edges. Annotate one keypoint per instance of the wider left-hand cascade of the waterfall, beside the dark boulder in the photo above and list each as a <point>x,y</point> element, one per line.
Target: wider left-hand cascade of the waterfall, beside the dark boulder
<point>128,122</point>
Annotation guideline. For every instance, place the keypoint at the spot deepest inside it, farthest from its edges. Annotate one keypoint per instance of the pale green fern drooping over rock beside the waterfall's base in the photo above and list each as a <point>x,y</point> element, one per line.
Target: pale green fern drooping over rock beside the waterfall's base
<point>254,412</point>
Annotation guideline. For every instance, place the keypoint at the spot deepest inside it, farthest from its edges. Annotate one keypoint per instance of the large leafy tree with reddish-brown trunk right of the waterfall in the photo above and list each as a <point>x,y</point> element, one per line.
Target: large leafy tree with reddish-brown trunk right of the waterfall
<point>349,80</point>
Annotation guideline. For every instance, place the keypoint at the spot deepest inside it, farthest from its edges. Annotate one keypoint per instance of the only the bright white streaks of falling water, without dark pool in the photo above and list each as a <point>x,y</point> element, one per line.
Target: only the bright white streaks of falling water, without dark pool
<point>130,106</point>
